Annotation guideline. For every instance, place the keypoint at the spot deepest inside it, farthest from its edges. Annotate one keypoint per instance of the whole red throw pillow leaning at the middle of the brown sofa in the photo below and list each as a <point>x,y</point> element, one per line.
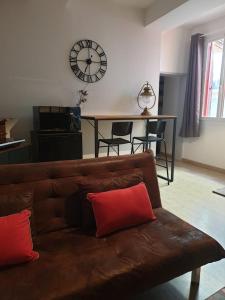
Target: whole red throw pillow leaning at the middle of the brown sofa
<point>121,208</point>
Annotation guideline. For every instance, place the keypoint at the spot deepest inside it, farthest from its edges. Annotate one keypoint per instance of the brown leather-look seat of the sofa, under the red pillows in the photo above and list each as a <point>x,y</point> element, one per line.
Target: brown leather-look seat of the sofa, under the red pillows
<point>76,266</point>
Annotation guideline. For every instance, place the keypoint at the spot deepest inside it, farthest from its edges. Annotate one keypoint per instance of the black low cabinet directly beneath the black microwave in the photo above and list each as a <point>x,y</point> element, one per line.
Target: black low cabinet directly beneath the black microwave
<point>52,145</point>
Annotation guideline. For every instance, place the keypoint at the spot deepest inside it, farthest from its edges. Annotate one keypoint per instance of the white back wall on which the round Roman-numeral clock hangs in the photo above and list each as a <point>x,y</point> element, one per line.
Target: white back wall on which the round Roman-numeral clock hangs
<point>36,37</point>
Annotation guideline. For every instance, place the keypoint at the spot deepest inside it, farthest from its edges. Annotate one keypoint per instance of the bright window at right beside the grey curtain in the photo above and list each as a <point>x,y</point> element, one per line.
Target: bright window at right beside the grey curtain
<point>214,92</point>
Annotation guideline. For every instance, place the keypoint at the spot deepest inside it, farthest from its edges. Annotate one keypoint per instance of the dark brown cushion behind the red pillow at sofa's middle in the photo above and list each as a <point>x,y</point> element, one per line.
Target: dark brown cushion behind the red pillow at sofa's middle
<point>102,185</point>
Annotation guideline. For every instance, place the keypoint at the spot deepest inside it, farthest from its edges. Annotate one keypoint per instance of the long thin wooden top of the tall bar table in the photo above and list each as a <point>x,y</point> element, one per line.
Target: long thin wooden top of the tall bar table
<point>127,117</point>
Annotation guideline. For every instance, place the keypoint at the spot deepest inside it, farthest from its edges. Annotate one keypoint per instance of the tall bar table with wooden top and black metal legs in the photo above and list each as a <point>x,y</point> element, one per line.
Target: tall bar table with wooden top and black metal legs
<point>97,118</point>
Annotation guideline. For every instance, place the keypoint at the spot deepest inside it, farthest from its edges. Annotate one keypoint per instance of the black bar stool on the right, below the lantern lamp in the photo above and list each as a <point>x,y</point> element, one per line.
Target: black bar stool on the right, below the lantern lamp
<point>158,129</point>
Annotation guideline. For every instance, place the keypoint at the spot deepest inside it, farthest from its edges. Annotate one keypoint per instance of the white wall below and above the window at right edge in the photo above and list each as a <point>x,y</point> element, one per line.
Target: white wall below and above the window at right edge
<point>209,148</point>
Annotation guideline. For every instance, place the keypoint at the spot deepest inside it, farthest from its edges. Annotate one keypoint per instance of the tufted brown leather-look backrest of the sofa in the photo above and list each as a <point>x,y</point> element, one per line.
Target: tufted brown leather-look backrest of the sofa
<point>56,190</point>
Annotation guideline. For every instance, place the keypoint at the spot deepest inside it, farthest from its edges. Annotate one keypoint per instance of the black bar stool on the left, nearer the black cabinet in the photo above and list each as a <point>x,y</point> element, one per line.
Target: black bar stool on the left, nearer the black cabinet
<point>118,129</point>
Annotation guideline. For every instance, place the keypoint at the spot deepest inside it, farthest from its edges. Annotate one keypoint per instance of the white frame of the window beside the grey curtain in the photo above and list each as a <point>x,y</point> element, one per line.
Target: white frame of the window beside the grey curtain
<point>221,97</point>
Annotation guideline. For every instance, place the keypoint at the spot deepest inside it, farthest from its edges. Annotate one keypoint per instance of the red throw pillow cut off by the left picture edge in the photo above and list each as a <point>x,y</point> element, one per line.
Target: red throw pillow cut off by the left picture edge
<point>15,239</point>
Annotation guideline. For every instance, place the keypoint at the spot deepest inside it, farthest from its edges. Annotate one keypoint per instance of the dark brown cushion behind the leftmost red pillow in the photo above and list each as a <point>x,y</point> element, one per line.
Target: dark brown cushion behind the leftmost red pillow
<point>16,201</point>
